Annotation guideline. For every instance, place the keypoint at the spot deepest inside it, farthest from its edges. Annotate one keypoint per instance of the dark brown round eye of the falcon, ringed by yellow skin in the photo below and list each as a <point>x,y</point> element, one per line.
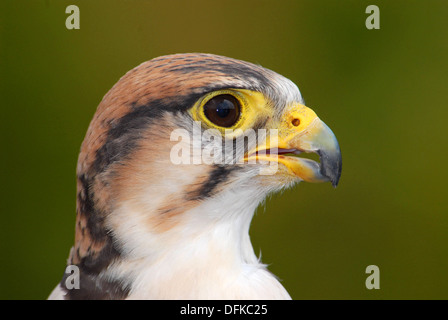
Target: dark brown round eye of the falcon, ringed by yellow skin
<point>223,110</point>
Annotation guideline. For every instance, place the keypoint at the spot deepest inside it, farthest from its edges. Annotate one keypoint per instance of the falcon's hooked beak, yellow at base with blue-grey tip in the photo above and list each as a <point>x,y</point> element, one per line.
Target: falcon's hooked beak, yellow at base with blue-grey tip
<point>301,131</point>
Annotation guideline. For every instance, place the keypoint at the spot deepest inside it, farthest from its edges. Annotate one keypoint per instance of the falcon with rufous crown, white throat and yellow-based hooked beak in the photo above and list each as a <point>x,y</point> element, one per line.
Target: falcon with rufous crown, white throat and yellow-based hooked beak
<point>156,221</point>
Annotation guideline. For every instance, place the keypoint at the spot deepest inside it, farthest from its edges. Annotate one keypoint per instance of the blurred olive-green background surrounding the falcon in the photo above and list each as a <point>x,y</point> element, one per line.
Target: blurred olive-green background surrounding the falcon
<point>383,92</point>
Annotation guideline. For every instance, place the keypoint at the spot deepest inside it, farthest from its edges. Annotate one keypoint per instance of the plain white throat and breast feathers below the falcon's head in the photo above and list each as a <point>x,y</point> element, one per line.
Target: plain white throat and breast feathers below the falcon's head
<point>208,255</point>
